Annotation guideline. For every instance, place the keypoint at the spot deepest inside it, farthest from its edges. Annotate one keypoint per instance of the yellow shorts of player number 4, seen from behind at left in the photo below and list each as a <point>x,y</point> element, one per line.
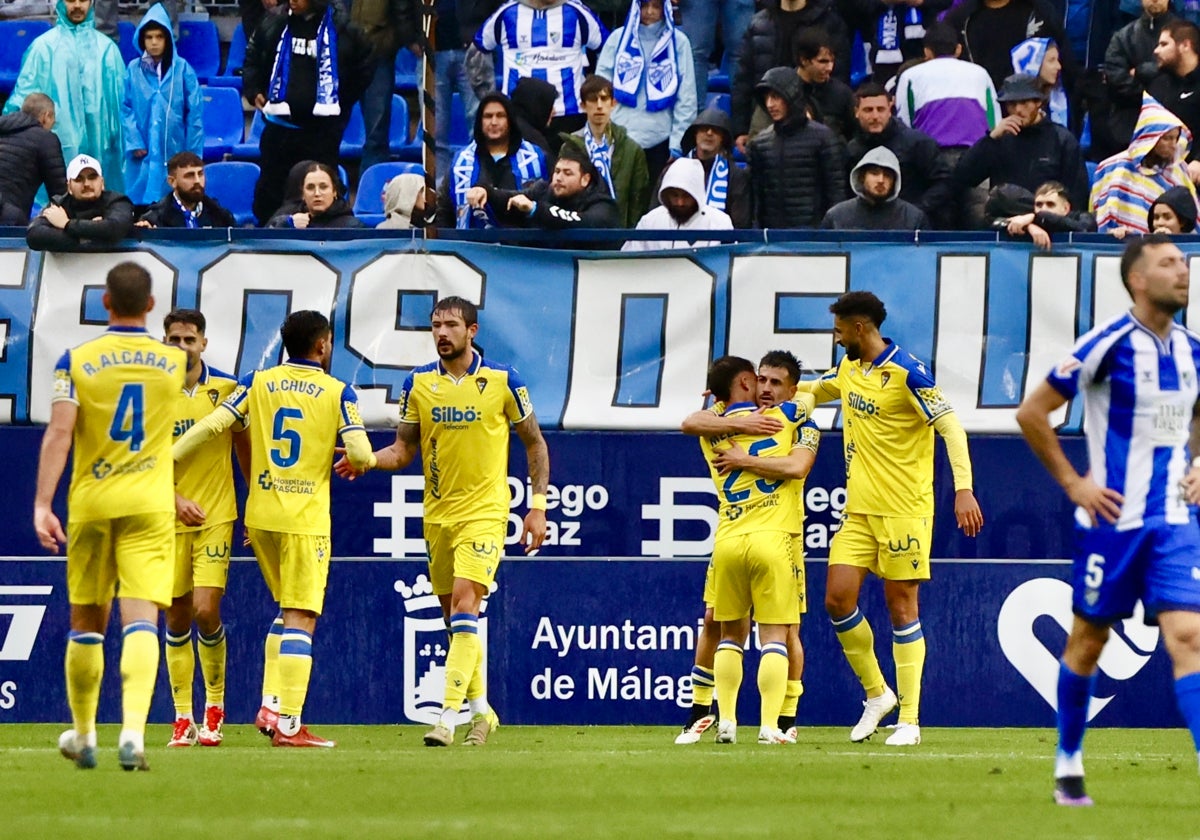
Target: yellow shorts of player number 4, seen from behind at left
<point>127,555</point>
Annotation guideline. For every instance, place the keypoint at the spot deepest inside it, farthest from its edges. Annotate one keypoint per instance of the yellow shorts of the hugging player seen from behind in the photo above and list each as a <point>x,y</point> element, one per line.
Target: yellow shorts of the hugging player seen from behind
<point>759,572</point>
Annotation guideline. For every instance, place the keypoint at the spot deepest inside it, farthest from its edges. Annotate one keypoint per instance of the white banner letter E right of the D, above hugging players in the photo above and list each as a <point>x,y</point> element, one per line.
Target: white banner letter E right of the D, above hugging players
<point>758,283</point>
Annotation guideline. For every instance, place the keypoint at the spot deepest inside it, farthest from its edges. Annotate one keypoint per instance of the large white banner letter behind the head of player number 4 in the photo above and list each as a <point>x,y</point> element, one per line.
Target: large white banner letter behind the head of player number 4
<point>63,303</point>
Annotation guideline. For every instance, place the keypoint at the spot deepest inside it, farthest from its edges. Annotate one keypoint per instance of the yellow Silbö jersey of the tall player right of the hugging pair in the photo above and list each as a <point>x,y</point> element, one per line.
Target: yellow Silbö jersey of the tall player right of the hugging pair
<point>889,409</point>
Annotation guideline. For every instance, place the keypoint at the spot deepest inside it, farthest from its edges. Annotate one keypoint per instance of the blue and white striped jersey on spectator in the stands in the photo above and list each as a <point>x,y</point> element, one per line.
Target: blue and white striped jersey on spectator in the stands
<point>547,44</point>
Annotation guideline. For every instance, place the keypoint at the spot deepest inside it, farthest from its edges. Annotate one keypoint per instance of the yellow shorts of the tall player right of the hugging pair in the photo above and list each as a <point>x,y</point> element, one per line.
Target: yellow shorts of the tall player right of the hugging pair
<point>893,548</point>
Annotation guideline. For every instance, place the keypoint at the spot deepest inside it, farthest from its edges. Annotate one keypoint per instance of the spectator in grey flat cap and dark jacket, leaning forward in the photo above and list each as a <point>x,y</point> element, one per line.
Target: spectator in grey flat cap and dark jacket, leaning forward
<point>1024,149</point>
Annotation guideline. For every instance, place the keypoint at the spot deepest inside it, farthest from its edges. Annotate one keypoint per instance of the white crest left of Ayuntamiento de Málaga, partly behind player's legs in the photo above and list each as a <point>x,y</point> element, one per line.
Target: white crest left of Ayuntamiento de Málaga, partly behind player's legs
<point>427,645</point>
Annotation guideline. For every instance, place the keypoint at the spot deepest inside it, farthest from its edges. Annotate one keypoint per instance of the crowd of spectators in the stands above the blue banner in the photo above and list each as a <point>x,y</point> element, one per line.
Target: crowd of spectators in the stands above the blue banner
<point>1012,116</point>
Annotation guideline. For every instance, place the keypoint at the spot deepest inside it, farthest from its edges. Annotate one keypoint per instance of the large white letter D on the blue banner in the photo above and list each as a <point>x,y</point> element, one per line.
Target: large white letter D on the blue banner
<point>603,287</point>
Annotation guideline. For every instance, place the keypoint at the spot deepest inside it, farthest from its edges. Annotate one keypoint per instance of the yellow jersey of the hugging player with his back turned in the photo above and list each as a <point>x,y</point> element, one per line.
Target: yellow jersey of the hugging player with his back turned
<point>749,503</point>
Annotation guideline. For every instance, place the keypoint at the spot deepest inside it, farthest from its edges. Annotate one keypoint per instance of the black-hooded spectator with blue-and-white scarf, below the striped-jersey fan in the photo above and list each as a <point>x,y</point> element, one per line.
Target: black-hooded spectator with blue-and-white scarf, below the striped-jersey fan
<point>497,158</point>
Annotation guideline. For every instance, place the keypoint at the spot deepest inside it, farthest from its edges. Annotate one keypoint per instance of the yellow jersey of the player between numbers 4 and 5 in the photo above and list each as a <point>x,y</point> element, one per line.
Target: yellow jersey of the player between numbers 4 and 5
<point>206,477</point>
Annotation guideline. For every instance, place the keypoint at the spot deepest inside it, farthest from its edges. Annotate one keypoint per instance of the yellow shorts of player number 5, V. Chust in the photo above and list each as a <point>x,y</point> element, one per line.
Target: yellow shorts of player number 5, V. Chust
<point>296,567</point>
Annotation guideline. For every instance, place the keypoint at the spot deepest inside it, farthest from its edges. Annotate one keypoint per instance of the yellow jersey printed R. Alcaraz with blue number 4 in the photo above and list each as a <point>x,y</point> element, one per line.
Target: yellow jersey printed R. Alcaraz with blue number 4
<point>128,387</point>
